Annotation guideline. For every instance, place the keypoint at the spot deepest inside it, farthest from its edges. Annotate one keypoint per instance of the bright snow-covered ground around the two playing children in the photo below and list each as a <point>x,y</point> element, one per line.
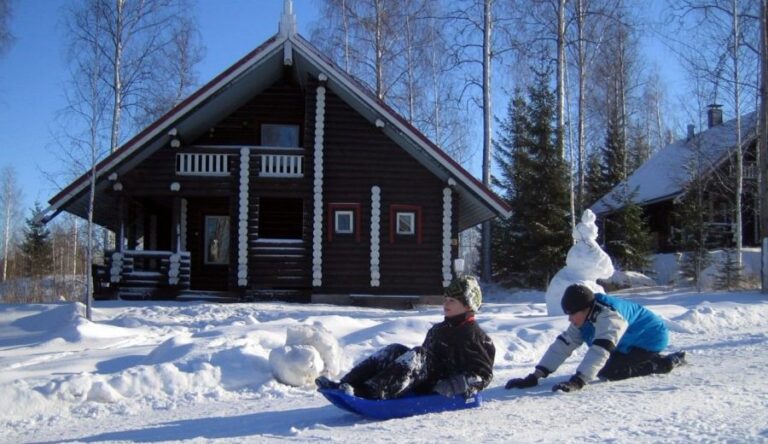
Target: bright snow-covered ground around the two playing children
<point>168,372</point>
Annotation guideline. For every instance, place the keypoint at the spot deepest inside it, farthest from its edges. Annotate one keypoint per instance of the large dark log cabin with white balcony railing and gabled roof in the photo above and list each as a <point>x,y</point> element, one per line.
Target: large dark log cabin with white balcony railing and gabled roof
<point>282,177</point>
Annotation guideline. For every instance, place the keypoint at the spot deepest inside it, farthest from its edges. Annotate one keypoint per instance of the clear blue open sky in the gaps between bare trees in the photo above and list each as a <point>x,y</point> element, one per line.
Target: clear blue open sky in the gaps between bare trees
<point>33,73</point>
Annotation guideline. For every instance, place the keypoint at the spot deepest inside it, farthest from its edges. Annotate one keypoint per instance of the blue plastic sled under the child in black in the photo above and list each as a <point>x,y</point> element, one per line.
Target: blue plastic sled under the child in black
<point>400,407</point>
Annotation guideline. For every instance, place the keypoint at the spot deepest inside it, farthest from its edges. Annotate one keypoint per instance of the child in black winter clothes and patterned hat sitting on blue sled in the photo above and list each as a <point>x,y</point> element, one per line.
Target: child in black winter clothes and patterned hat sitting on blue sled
<point>455,358</point>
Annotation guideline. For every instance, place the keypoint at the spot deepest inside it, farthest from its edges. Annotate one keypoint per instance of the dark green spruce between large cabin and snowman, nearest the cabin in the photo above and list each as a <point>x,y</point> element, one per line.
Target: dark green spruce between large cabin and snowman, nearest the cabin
<point>535,182</point>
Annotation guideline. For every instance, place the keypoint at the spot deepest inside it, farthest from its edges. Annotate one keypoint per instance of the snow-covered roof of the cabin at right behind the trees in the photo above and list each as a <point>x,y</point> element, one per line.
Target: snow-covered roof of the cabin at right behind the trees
<point>666,174</point>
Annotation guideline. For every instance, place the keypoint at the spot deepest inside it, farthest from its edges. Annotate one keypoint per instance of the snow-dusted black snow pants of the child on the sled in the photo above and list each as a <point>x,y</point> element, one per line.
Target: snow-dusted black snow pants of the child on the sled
<point>390,372</point>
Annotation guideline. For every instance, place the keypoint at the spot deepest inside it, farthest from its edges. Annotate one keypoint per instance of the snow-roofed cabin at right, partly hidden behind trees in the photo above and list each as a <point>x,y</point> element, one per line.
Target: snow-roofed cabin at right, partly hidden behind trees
<point>662,181</point>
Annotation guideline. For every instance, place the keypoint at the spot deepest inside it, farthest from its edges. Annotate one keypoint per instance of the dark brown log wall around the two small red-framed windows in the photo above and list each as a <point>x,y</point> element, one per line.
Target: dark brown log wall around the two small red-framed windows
<point>358,156</point>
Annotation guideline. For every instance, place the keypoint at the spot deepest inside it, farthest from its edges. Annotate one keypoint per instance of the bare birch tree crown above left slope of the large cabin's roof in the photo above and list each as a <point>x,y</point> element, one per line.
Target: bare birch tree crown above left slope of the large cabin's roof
<point>147,50</point>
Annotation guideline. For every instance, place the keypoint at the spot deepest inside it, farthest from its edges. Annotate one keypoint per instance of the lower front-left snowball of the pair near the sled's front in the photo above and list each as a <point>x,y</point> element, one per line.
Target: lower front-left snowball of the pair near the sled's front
<point>296,365</point>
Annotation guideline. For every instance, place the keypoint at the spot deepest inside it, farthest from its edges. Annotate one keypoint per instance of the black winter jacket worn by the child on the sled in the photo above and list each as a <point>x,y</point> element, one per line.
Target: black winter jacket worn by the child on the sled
<point>458,346</point>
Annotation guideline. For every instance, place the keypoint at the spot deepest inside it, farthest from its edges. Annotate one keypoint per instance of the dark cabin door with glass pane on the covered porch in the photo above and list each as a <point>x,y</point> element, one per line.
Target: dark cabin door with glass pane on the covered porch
<point>210,243</point>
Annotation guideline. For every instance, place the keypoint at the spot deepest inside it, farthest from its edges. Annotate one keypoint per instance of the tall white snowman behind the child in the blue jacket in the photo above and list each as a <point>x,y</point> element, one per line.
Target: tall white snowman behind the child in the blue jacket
<point>585,264</point>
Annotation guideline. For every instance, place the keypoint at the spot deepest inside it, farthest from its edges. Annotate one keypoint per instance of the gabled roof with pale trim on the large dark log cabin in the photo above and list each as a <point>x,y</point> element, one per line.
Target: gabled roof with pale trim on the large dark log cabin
<point>248,77</point>
